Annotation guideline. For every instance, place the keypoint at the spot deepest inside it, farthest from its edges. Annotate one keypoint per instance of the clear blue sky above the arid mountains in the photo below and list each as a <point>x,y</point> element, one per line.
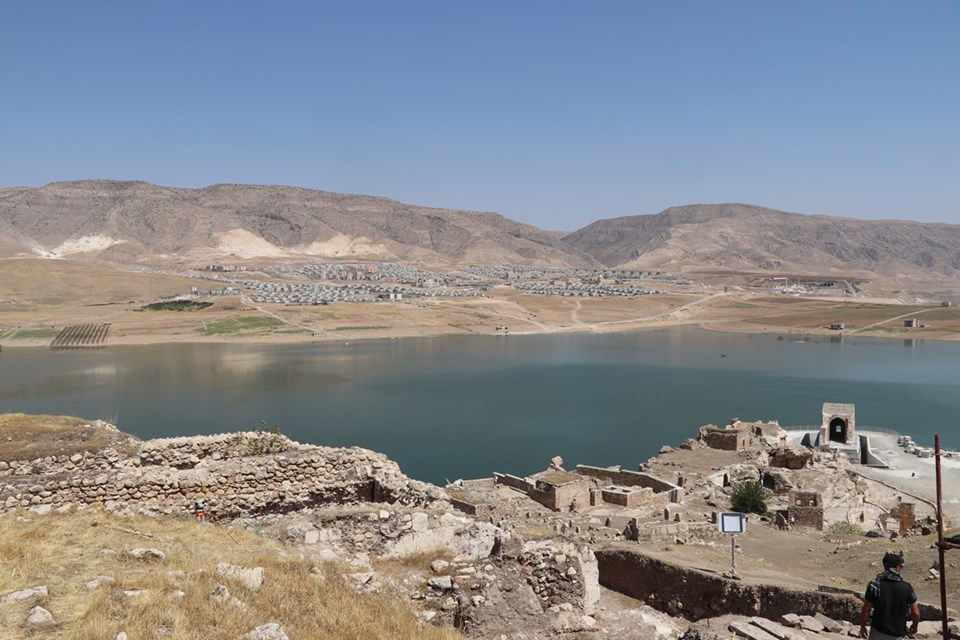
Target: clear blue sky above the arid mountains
<point>551,112</point>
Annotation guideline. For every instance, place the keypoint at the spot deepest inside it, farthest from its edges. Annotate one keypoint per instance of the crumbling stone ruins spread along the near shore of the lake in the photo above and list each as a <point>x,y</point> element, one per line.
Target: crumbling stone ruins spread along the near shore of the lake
<point>516,557</point>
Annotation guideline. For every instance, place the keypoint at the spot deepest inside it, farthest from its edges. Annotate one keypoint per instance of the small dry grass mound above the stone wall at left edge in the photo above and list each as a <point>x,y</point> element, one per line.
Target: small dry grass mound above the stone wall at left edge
<point>26,437</point>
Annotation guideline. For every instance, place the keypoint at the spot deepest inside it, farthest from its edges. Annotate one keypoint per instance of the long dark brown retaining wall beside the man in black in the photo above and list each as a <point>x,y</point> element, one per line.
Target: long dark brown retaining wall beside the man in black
<point>695,594</point>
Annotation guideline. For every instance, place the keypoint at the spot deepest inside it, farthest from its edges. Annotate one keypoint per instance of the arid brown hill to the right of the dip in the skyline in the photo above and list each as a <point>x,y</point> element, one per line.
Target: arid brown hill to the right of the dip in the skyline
<point>739,237</point>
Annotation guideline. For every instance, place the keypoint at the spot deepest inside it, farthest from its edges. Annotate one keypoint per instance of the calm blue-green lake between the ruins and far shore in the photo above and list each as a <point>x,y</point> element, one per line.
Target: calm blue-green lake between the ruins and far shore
<point>454,407</point>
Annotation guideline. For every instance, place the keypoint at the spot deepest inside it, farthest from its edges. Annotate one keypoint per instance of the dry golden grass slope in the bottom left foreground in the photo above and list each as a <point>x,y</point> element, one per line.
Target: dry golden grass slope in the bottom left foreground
<point>63,551</point>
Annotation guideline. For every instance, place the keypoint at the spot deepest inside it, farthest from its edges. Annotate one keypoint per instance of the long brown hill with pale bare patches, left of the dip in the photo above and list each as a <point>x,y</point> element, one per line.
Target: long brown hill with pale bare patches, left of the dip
<point>134,221</point>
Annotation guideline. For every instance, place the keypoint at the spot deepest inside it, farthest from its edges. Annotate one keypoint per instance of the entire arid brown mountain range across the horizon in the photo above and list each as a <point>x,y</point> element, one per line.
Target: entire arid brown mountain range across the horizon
<point>140,222</point>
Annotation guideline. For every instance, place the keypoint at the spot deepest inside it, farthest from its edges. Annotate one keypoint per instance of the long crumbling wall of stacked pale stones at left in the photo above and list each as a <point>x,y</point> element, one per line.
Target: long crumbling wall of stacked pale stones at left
<point>233,473</point>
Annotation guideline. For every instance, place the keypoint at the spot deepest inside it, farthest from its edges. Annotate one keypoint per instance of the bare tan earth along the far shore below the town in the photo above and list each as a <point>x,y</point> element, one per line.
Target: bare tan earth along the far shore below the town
<point>40,297</point>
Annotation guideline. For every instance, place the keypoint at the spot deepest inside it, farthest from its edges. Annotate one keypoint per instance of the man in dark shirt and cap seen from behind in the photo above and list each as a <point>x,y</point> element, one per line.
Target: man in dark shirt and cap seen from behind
<point>890,597</point>
